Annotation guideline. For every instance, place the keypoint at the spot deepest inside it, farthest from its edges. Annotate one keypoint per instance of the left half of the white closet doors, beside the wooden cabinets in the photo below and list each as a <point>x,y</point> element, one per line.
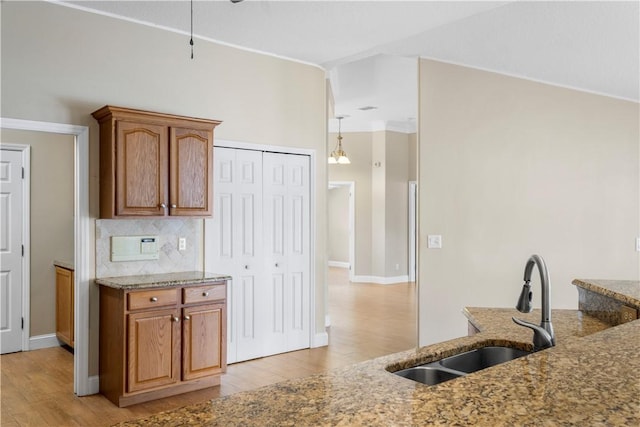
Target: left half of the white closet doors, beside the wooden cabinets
<point>233,245</point>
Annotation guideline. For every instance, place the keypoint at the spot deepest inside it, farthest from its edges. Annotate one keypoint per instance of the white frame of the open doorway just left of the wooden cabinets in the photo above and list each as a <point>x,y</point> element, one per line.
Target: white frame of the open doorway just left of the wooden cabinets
<point>82,384</point>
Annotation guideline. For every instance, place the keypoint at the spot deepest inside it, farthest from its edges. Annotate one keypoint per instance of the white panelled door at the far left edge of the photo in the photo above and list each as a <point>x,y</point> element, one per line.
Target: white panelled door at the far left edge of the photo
<point>11,250</point>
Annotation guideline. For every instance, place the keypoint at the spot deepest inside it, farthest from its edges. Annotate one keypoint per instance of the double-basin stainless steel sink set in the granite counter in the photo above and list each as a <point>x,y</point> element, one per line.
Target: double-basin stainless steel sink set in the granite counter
<point>461,364</point>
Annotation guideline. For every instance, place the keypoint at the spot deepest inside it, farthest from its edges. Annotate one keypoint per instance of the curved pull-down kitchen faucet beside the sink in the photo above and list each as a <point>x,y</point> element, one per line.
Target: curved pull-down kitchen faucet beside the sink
<point>543,336</point>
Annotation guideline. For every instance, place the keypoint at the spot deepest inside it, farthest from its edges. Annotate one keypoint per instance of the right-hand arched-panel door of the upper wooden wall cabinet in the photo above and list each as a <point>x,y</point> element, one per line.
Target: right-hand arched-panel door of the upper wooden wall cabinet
<point>191,172</point>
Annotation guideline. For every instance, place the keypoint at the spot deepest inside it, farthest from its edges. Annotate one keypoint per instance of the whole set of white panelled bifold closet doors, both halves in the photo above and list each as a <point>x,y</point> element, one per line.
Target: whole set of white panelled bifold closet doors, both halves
<point>260,236</point>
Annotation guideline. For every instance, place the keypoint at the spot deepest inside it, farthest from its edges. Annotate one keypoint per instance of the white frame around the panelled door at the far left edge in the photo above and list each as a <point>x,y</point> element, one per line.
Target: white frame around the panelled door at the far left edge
<point>26,240</point>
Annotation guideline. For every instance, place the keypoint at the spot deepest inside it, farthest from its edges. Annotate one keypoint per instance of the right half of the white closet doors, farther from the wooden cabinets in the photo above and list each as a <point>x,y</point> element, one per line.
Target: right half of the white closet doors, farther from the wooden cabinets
<point>286,250</point>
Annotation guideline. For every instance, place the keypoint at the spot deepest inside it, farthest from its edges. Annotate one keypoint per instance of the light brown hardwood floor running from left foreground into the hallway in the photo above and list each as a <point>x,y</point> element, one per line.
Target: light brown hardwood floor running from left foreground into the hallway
<point>367,321</point>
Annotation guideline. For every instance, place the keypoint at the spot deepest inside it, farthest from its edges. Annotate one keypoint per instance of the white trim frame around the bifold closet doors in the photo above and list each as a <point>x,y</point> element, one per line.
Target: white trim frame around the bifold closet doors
<point>316,339</point>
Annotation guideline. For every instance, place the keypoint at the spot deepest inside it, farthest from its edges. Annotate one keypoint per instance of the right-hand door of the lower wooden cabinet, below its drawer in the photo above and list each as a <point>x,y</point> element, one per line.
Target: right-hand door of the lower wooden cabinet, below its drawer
<point>204,341</point>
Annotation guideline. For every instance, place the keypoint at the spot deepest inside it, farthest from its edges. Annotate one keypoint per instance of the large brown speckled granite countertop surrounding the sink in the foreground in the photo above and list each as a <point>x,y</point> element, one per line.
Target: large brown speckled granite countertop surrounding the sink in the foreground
<point>591,377</point>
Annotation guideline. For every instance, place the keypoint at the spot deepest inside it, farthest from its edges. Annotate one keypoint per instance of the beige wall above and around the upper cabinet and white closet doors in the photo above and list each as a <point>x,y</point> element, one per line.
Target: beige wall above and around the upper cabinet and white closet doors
<point>77,62</point>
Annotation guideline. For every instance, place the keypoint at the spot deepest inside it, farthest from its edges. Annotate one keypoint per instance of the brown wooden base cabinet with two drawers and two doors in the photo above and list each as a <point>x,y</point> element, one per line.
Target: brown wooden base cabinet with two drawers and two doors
<point>161,342</point>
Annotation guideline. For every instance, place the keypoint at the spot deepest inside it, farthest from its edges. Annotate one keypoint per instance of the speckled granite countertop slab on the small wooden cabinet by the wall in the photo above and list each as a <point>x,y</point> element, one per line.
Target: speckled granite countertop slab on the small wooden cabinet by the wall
<point>161,280</point>
